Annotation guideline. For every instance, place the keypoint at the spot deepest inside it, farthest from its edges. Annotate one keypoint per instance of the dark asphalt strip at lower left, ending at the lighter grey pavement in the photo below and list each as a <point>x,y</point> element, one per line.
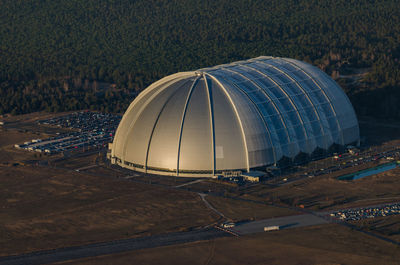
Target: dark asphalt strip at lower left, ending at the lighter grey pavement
<point>71,253</point>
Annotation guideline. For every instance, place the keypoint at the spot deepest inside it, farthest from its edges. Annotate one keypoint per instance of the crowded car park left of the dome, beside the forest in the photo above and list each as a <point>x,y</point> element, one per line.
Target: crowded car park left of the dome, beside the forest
<point>89,130</point>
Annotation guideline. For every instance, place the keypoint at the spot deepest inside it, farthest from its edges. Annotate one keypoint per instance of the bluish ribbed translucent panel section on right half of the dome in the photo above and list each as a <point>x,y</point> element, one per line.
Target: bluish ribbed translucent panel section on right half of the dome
<point>293,102</point>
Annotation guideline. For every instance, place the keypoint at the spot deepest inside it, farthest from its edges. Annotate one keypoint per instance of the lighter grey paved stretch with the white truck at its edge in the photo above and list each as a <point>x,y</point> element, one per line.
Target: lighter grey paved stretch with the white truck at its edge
<point>283,223</point>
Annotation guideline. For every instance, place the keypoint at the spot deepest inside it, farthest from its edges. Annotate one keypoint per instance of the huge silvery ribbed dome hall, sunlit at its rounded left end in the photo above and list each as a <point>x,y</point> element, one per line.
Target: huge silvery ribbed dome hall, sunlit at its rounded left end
<point>241,115</point>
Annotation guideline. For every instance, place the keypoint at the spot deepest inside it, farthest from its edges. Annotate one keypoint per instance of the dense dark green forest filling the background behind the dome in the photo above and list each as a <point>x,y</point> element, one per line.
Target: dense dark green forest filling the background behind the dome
<point>59,55</point>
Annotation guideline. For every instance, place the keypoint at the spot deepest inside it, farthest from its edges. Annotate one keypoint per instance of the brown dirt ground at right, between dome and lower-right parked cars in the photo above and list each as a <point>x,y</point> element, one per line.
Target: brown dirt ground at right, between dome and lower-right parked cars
<point>323,193</point>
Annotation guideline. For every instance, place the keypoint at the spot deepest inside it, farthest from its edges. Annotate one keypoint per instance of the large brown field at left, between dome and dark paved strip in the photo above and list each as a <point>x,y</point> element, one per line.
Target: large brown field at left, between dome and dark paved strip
<point>44,208</point>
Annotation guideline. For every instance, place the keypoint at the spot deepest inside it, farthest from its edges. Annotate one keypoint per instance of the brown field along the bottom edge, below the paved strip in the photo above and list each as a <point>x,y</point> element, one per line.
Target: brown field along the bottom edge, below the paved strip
<point>329,244</point>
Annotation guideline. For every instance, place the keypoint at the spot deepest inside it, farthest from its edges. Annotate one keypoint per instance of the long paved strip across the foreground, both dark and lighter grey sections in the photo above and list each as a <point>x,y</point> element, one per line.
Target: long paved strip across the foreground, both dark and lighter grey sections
<point>112,247</point>
